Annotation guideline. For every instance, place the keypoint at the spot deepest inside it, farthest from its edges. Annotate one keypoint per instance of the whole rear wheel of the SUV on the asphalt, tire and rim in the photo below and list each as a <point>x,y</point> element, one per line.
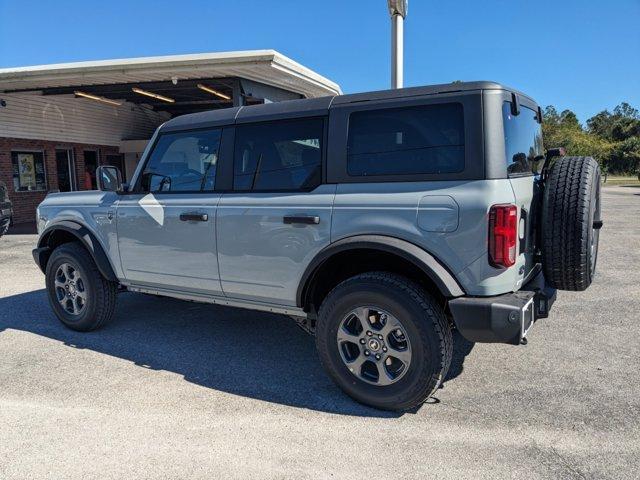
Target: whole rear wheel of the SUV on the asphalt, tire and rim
<point>384,340</point>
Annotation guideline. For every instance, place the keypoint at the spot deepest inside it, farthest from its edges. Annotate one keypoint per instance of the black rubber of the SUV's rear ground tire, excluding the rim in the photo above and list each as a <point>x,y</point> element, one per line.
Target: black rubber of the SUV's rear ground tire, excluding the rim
<point>426,326</point>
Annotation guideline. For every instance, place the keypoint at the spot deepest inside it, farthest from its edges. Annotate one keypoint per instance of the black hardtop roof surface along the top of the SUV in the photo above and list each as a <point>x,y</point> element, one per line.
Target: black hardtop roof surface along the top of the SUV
<point>317,106</point>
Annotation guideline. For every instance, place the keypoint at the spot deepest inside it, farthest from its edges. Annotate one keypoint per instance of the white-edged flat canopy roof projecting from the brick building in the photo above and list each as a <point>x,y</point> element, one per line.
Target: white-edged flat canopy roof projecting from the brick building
<point>176,76</point>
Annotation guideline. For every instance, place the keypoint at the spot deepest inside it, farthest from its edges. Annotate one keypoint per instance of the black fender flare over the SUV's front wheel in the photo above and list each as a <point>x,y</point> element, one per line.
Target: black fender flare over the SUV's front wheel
<point>85,236</point>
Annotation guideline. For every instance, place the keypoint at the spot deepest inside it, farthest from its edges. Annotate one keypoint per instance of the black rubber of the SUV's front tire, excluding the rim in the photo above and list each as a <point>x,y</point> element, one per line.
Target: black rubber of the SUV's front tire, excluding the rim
<point>101,293</point>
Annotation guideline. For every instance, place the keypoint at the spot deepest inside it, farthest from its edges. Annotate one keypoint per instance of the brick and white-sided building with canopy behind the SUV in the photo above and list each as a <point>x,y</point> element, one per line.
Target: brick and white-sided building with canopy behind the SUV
<point>59,122</point>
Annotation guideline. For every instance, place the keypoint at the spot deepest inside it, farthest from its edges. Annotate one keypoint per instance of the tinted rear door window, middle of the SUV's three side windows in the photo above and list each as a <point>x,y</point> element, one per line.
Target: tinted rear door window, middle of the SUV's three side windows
<point>278,156</point>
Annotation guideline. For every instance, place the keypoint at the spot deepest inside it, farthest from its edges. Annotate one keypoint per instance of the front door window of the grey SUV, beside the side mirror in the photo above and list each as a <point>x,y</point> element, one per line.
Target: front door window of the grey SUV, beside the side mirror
<point>183,162</point>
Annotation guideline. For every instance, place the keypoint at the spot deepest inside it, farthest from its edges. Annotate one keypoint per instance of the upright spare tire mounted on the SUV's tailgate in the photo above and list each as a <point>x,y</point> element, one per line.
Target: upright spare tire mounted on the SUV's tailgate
<point>571,222</point>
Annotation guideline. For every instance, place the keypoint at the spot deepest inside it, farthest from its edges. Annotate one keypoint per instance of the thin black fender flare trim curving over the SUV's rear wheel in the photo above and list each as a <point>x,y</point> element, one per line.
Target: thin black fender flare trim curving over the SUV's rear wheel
<point>438,273</point>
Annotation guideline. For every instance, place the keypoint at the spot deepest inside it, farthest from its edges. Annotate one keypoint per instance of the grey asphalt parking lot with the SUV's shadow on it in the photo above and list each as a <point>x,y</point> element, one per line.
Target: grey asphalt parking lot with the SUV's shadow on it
<point>179,390</point>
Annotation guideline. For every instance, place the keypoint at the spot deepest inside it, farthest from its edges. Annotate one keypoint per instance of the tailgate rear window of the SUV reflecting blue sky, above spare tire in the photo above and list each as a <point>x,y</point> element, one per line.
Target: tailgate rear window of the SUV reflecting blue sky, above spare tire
<point>522,141</point>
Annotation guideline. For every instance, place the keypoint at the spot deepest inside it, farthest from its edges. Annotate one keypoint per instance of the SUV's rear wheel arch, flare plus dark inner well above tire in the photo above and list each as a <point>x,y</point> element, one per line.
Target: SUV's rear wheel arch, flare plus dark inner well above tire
<point>408,255</point>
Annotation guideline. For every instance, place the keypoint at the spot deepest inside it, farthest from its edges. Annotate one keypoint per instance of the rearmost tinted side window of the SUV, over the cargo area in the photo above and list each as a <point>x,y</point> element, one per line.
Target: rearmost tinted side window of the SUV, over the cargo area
<point>426,139</point>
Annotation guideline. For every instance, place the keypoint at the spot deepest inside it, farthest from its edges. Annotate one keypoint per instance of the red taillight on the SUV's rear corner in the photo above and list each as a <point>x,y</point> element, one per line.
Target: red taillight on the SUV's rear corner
<point>503,235</point>
